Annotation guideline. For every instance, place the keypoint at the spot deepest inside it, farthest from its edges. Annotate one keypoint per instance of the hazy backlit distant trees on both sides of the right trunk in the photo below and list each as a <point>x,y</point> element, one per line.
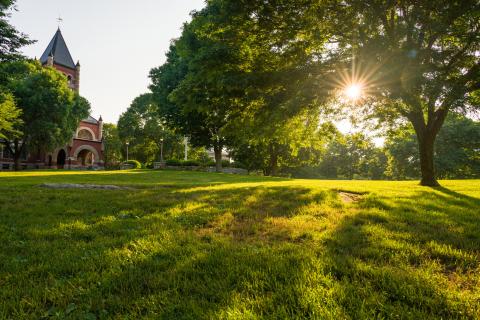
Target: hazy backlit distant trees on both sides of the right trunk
<point>355,156</point>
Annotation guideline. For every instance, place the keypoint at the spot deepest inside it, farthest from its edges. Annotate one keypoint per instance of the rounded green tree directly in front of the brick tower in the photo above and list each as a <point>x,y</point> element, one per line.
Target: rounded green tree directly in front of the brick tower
<point>50,110</point>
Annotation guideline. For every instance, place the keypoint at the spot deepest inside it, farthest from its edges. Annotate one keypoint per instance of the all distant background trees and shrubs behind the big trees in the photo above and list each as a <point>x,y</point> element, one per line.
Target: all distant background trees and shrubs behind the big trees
<point>333,155</point>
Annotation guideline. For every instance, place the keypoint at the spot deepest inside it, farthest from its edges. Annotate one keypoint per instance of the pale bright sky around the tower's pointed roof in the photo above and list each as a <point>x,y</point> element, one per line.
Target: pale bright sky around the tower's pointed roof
<point>116,41</point>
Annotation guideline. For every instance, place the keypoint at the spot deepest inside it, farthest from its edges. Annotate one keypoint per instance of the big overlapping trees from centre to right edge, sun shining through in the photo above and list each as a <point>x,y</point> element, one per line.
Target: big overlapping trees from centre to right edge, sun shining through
<point>262,77</point>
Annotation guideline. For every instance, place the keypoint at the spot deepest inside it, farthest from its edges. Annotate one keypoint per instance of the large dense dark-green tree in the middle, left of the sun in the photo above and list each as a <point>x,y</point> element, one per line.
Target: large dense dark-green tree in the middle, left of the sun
<point>234,60</point>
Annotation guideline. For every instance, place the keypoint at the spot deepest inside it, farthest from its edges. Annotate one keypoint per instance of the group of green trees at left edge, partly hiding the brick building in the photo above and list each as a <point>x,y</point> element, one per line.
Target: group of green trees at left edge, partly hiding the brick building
<point>38,110</point>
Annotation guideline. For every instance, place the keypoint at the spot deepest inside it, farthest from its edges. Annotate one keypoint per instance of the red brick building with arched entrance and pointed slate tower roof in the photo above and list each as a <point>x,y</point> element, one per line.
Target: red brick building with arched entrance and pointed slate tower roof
<point>85,148</point>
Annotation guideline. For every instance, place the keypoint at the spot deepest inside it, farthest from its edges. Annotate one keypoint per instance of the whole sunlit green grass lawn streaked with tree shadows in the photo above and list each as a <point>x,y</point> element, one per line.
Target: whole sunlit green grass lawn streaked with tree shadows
<point>189,245</point>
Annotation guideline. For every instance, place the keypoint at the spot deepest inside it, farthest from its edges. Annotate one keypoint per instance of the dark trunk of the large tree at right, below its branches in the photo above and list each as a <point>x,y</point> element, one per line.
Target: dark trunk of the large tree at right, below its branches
<point>426,149</point>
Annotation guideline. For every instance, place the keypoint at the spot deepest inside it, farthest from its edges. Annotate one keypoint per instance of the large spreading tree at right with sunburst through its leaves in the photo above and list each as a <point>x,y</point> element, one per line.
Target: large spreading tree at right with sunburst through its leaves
<point>417,60</point>
